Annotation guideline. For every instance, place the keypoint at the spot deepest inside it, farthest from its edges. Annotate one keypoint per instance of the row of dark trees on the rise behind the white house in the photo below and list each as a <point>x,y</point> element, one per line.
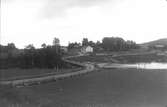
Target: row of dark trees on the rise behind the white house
<point>107,44</point>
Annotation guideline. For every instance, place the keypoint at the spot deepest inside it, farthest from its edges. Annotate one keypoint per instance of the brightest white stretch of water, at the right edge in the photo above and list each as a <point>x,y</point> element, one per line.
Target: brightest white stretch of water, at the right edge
<point>152,65</point>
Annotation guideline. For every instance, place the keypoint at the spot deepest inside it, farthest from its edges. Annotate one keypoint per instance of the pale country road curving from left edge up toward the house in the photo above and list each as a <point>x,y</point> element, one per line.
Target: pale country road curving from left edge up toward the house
<point>28,81</point>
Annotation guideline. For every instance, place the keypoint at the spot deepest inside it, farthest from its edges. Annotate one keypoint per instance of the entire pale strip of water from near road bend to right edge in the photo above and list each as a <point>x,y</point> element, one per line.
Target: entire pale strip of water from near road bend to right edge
<point>153,65</point>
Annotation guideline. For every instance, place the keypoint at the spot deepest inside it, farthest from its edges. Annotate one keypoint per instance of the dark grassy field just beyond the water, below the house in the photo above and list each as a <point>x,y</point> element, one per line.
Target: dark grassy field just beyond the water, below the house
<point>121,58</point>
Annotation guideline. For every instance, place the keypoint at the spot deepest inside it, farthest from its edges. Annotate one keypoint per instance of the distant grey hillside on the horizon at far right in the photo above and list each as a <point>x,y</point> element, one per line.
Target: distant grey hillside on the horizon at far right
<point>156,42</point>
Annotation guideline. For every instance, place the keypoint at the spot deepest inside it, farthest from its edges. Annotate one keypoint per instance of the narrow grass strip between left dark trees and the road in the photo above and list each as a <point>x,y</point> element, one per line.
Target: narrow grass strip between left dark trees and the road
<point>9,74</point>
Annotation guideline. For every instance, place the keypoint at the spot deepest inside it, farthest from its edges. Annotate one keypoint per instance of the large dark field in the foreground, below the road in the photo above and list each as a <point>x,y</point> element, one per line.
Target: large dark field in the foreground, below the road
<point>104,88</point>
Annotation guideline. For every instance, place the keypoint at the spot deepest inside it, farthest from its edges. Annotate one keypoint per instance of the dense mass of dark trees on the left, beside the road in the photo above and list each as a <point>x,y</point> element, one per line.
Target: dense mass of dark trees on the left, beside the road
<point>48,56</point>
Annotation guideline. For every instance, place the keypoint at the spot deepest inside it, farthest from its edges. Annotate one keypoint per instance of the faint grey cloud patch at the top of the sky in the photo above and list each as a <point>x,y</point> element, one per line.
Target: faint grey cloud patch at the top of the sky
<point>58,8</point>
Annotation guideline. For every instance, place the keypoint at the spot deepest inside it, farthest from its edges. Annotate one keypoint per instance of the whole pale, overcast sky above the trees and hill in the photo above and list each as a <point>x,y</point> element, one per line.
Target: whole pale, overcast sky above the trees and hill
<point>35,22</point>
